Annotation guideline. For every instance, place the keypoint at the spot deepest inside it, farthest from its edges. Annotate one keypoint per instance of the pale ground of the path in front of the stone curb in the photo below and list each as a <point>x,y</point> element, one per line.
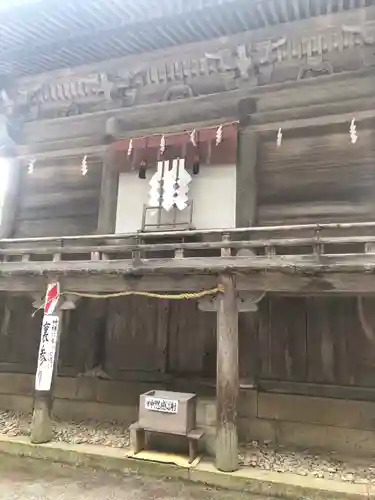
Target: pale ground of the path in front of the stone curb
<point>28,479</point>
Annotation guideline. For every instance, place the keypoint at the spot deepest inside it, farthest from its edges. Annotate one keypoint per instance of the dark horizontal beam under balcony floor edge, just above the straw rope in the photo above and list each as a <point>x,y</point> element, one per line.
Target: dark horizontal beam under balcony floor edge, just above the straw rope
<point>336,283</point>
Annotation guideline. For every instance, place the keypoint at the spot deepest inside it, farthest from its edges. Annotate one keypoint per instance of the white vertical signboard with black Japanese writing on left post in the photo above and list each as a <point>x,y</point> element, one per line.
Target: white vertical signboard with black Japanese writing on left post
<point>47,350</point>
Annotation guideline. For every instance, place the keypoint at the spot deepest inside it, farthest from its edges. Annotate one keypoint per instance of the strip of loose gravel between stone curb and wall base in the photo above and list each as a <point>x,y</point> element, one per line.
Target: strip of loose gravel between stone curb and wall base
<point>257,455</point>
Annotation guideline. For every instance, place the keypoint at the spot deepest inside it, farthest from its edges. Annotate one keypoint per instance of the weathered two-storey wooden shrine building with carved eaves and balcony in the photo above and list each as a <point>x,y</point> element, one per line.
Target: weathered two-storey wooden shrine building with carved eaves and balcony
<point>218,150</point>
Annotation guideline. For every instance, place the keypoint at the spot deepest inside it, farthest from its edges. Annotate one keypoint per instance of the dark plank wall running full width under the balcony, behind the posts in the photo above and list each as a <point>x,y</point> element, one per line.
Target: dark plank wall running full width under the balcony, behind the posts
<point>324,340</point>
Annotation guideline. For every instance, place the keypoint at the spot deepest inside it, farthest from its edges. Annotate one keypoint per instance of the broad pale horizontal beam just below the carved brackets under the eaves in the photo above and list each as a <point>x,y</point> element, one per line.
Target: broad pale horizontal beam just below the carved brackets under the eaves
<point>142,120</point>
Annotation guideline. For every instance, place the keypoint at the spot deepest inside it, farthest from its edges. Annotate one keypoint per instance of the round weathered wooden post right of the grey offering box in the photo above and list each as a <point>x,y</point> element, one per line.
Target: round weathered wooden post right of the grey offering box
<point>227,378</point>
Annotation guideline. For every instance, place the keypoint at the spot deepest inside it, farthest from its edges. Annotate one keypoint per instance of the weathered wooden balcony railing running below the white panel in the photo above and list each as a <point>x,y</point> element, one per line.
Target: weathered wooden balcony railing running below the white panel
<point>307,239</point>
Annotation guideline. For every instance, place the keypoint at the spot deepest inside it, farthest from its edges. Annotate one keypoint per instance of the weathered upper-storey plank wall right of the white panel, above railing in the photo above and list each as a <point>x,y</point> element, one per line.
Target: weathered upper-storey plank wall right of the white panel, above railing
<point>316,178</point>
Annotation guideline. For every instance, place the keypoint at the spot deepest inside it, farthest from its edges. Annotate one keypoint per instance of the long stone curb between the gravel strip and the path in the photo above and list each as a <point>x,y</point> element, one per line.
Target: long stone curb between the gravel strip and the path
<point>253,481</point>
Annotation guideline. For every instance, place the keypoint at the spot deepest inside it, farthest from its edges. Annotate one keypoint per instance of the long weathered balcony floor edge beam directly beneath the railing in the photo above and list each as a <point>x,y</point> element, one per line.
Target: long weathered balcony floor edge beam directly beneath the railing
<point>288,264</point>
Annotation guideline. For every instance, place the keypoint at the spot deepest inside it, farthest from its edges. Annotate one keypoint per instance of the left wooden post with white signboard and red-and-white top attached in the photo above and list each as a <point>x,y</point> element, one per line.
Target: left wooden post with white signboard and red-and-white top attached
<point>48,356</point>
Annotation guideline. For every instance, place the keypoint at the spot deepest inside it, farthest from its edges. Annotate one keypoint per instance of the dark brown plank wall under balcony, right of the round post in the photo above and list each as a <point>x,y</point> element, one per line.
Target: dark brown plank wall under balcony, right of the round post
<point>317,340</point>
